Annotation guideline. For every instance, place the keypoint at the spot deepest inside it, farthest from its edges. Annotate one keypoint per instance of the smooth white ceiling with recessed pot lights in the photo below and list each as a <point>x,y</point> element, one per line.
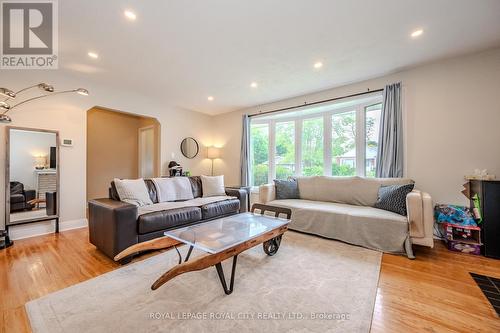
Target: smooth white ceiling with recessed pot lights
<point>179,51</point>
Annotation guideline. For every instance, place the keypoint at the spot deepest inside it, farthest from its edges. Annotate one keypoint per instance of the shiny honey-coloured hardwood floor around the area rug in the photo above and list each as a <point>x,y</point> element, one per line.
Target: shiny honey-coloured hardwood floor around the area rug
<point>433,293</point>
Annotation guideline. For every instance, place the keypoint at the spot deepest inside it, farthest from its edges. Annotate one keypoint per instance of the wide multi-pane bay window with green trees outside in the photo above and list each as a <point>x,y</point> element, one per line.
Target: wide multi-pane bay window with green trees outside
<point>336,139</point>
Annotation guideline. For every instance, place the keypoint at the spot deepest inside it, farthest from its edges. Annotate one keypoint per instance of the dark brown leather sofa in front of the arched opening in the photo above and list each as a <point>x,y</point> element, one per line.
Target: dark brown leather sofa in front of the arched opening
<point>115,225</point>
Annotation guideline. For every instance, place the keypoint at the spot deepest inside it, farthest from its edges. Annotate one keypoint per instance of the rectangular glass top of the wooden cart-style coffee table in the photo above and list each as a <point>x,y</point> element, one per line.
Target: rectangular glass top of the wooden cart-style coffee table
<point>218,235</point>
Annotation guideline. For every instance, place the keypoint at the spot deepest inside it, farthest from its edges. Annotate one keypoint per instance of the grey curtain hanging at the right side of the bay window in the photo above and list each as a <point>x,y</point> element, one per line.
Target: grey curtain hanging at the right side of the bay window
<point>390,140</point>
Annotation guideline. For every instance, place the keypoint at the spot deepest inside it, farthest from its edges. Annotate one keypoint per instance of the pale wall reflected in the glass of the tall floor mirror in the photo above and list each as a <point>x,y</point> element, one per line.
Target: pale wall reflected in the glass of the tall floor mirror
<point>24,146</point>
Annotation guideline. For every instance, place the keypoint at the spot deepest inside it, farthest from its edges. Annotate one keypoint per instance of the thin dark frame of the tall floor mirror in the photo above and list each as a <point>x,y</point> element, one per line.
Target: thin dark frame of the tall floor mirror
<point>7,179</point>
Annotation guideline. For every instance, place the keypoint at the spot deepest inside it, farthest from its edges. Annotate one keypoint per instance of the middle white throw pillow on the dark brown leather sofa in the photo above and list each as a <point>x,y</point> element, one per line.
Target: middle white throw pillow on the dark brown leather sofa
<point>173,189</point>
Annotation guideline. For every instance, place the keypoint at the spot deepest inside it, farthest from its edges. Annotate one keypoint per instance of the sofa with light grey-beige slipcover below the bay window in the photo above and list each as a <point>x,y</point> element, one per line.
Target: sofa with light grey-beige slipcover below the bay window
<point>342,208</point>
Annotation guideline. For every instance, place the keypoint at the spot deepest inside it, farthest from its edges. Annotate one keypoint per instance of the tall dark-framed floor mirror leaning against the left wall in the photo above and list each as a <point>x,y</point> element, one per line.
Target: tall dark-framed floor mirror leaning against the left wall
<point>32,176</point>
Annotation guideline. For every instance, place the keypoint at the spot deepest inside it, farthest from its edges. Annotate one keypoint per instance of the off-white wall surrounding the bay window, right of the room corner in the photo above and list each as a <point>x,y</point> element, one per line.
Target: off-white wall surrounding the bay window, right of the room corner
<point>452,110</point>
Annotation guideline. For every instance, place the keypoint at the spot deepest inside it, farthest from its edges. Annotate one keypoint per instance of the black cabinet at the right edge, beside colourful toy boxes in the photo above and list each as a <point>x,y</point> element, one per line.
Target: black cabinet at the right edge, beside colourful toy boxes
<point>489,196</point>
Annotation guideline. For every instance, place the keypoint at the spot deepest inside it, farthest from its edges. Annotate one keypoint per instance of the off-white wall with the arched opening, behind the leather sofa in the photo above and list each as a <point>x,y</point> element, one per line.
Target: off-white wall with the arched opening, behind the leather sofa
<point>67,114</point>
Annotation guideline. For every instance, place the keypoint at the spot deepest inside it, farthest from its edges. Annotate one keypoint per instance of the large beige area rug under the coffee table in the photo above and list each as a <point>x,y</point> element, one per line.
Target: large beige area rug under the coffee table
<point>310,285</point>
